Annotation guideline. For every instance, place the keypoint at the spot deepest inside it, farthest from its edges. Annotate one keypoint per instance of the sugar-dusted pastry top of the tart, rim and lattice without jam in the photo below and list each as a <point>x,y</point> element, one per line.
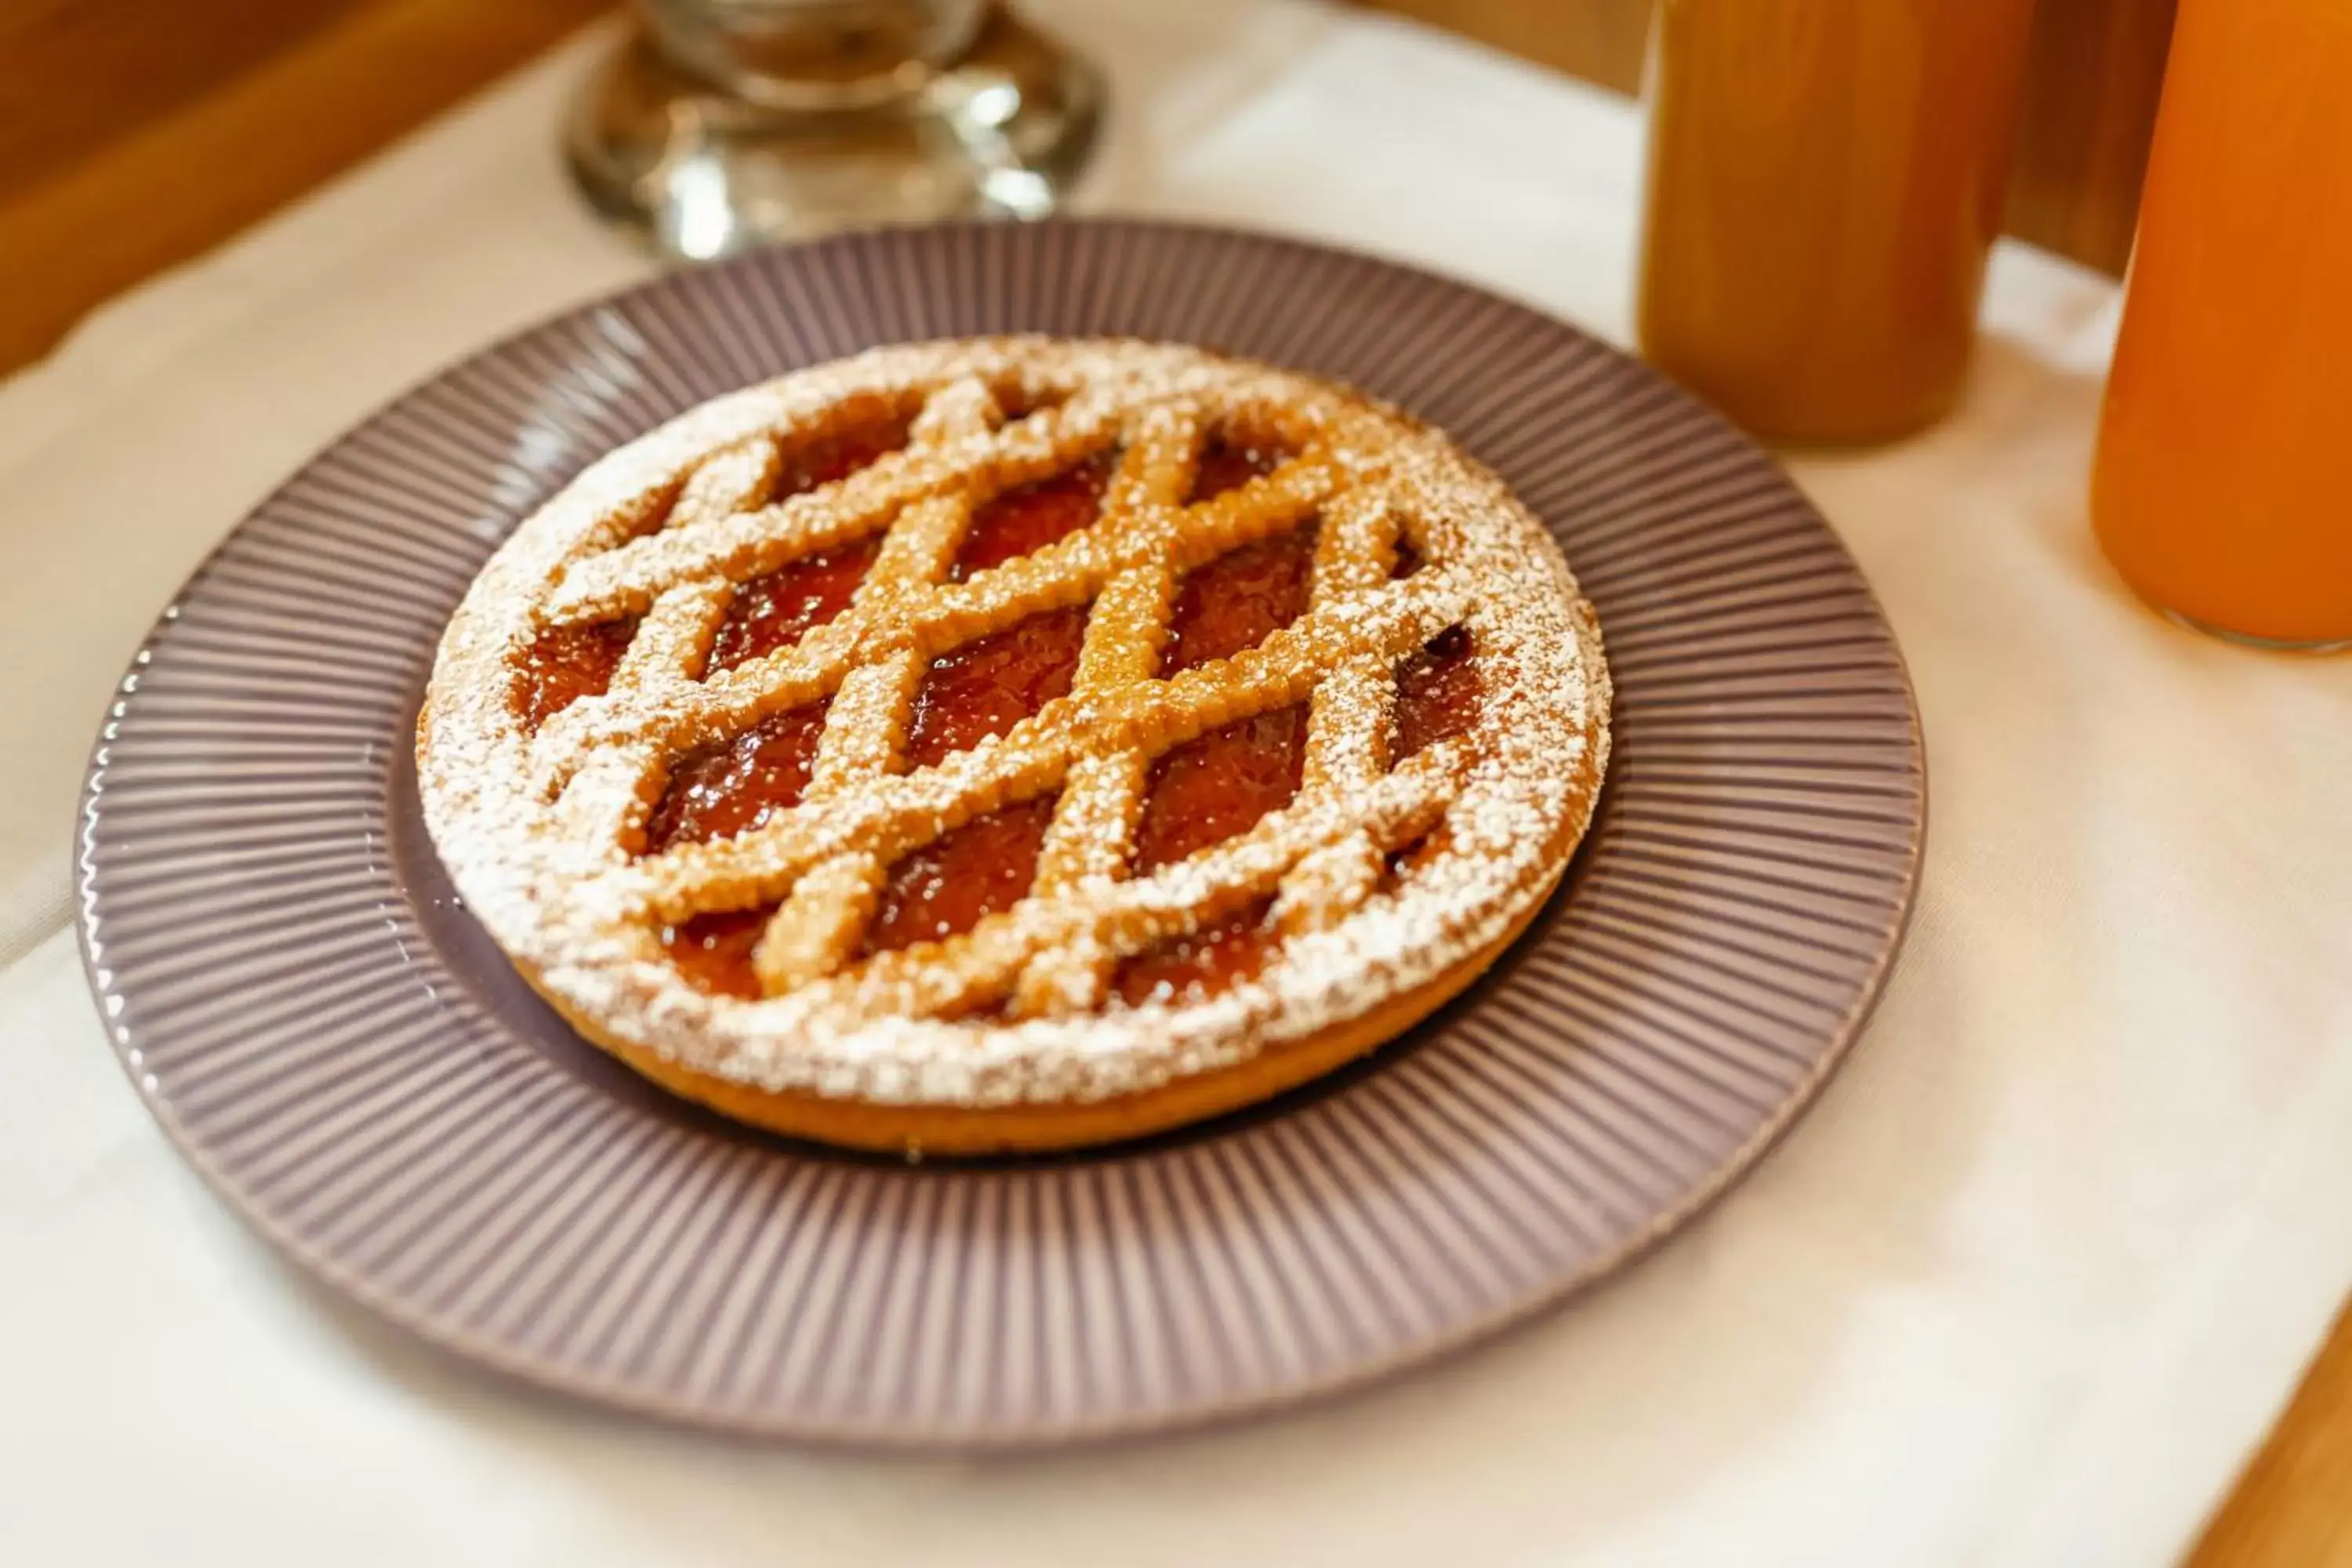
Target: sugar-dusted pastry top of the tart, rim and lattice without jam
<point>540,831</point>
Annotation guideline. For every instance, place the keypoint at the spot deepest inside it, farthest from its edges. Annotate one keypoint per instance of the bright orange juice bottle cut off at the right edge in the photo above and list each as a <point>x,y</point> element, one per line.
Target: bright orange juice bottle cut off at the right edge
<point>2226,462</point>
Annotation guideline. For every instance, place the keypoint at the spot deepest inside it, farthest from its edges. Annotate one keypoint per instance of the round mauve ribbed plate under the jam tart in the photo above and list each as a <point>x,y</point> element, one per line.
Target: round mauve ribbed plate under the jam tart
<point>363,1078</point>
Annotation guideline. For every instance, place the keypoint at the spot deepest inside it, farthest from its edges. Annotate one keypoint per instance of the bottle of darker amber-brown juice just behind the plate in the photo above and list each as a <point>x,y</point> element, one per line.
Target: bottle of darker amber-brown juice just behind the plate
<point>1826,180</point>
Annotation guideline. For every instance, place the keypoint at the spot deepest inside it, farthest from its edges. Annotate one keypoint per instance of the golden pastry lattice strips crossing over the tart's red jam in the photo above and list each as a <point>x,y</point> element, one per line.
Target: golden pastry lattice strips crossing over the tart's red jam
<point>827,857</point>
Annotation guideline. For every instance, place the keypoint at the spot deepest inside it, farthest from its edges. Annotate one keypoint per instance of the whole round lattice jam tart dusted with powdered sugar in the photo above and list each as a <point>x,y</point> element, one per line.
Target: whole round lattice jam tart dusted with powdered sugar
<point>1015,744</point>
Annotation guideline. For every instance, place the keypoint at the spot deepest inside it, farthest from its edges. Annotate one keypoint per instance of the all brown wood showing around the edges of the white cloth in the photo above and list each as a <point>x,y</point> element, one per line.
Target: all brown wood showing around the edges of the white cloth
<point>140,133</point>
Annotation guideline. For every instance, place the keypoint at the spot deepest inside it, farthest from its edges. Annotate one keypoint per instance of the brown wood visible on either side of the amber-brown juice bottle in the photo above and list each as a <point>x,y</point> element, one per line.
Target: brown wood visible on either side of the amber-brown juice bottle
<point>2090,109</point>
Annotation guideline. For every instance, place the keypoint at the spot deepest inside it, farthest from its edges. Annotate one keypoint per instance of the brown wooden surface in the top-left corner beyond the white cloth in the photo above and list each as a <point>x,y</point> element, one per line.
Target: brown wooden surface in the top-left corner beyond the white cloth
<point>140,133</point>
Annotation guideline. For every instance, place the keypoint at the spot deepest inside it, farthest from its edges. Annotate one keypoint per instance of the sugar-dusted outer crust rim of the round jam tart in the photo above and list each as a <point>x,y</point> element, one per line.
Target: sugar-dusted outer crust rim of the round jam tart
<point>1045,1083</point>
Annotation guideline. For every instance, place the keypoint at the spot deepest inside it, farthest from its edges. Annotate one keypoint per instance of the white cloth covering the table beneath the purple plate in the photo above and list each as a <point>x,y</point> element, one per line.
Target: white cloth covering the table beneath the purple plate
<point>2024,1289</point>
